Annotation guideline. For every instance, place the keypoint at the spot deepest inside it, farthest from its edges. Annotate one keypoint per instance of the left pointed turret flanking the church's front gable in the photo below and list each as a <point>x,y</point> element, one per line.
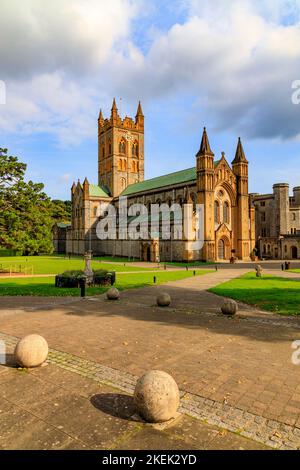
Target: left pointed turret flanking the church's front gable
<point>205,190</point>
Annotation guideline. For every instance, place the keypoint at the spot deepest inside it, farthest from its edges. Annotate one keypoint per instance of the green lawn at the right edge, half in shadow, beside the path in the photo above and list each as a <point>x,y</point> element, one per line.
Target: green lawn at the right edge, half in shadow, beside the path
<point>271,293</point>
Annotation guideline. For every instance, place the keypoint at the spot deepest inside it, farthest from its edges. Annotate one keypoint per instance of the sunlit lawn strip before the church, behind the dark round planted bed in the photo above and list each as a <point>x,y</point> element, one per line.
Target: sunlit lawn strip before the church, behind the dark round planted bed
<point>57,264</point>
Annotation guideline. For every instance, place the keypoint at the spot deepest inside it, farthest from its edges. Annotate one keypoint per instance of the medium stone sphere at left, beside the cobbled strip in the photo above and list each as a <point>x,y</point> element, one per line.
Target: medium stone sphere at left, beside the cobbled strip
<point>31,351</point>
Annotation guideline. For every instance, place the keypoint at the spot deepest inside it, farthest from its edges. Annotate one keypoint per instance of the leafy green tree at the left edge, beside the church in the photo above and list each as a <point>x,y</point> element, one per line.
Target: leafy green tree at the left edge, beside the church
<point>26,211</point>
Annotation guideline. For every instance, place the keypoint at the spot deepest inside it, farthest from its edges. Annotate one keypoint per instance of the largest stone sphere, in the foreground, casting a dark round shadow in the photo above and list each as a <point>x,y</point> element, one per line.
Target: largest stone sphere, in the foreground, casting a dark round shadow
<point>156,397</point>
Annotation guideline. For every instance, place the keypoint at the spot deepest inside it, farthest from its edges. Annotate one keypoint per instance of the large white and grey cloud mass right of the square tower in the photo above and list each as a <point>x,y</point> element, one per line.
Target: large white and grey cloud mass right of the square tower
<point>237,62</point>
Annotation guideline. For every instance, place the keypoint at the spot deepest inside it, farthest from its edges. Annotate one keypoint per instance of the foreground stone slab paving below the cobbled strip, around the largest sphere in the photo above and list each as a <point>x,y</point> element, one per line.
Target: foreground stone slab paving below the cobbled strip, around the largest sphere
<point>85,415</point>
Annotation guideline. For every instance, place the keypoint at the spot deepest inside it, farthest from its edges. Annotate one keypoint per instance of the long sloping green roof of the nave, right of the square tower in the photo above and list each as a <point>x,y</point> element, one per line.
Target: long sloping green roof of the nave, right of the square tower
<point>179,177</point>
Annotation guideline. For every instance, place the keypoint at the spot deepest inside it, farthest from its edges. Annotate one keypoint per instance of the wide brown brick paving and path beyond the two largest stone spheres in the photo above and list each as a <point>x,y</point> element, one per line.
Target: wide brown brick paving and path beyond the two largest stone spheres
<point>233,373</point>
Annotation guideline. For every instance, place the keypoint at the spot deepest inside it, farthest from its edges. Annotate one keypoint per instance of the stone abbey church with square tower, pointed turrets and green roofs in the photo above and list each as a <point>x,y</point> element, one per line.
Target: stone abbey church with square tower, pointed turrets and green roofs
<point>229,215</point>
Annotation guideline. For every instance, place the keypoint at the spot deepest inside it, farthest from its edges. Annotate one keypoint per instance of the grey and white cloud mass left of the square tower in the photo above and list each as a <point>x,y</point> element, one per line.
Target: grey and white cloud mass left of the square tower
<point>51,56</point>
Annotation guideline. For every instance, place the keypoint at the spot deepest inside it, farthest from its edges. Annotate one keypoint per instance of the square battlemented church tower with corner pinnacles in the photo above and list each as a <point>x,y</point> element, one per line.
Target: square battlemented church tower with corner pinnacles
<point>120,150</point>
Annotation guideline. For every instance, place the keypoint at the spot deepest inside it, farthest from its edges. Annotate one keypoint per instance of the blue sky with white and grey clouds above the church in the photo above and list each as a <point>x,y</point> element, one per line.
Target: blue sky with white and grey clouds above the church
<point>228,65</point>
